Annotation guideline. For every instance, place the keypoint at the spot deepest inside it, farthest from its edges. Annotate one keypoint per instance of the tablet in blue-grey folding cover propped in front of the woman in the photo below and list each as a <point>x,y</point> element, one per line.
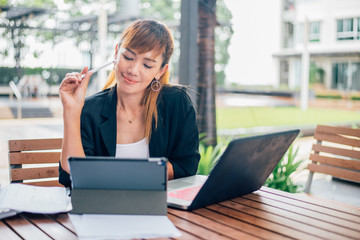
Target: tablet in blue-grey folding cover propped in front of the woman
<point>109,185</point>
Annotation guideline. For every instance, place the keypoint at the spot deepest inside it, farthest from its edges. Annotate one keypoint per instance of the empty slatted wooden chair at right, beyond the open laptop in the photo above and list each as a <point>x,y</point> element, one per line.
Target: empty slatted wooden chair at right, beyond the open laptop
<point>336,152</point>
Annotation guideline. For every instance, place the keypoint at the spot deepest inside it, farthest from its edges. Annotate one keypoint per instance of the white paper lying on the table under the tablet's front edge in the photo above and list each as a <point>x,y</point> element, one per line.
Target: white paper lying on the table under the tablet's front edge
<point>108,226</point>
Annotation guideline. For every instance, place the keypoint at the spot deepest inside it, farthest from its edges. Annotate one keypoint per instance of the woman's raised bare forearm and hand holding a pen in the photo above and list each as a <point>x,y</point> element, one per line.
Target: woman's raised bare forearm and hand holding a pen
<point>72,93</point>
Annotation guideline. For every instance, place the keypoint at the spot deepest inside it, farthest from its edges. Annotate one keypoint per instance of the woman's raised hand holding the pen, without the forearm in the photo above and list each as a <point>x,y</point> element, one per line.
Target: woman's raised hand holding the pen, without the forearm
<point>73,89</point>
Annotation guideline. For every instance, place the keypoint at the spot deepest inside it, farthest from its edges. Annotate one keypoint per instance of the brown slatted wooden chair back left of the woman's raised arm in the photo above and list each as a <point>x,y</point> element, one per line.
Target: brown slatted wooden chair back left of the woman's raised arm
<point>31,160</point>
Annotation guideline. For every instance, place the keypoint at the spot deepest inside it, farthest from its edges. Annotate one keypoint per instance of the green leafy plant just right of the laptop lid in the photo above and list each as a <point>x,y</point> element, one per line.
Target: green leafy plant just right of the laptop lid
<point>280,178</point>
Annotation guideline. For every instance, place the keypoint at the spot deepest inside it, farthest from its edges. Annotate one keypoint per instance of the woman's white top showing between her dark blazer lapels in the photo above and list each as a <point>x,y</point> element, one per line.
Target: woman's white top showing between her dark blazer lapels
<point>138,149</point>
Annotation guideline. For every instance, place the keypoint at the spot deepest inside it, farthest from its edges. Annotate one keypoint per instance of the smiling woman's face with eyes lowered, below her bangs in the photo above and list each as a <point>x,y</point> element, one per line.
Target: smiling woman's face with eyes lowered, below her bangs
<point>135,71</point>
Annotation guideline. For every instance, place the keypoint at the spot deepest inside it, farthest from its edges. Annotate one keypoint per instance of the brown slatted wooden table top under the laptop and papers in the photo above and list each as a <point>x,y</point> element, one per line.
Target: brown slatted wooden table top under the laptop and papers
<point>264,214</point>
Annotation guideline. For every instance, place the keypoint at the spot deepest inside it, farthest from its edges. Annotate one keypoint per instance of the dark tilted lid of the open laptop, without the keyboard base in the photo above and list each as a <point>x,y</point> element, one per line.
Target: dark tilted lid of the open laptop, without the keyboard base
<point>244,167</point>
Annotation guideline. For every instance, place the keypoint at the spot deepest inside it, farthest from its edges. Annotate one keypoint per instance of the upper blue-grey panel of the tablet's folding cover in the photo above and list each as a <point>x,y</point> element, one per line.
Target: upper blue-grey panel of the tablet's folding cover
<point>118,174</point>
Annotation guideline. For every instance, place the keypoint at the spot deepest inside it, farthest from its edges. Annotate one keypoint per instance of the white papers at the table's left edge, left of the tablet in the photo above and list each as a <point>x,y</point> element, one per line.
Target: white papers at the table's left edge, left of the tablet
<point>26,198</point>
